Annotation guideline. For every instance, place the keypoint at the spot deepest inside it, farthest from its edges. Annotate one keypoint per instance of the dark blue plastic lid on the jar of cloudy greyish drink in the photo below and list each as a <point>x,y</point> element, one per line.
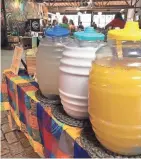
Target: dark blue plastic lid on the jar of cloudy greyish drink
<point>57,31</point>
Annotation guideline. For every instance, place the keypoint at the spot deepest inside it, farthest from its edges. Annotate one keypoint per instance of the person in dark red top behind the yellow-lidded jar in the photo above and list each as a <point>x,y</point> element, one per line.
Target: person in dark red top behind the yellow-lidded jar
<point>118,21</point>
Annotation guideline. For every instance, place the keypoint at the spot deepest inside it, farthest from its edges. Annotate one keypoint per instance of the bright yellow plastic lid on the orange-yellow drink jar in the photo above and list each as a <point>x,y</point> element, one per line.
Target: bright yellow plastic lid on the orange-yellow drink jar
<point>131,32</point>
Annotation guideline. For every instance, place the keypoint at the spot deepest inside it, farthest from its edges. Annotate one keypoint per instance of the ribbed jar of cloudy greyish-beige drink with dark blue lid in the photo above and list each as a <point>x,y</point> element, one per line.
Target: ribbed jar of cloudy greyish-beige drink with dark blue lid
<point>48,60</point>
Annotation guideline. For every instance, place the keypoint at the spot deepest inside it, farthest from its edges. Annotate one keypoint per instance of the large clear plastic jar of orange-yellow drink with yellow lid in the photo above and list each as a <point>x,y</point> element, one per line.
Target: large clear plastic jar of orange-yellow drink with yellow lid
<point>115,91</point>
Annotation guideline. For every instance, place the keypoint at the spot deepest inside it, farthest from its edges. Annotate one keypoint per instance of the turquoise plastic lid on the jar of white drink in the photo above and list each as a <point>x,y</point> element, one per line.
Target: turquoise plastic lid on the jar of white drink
<point>89,34</point>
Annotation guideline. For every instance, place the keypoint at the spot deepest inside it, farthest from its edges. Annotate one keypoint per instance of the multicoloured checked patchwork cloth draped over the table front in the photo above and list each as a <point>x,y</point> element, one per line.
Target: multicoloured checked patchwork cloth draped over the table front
<point>49,137</point>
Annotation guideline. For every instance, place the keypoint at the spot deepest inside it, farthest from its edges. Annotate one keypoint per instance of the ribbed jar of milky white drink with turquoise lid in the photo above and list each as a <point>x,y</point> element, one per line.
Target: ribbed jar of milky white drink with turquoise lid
<point>74,71</point>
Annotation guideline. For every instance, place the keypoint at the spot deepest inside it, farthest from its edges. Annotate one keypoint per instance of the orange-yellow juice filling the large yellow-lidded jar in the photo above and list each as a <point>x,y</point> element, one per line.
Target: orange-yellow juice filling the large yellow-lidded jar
<point>115,104</point>
